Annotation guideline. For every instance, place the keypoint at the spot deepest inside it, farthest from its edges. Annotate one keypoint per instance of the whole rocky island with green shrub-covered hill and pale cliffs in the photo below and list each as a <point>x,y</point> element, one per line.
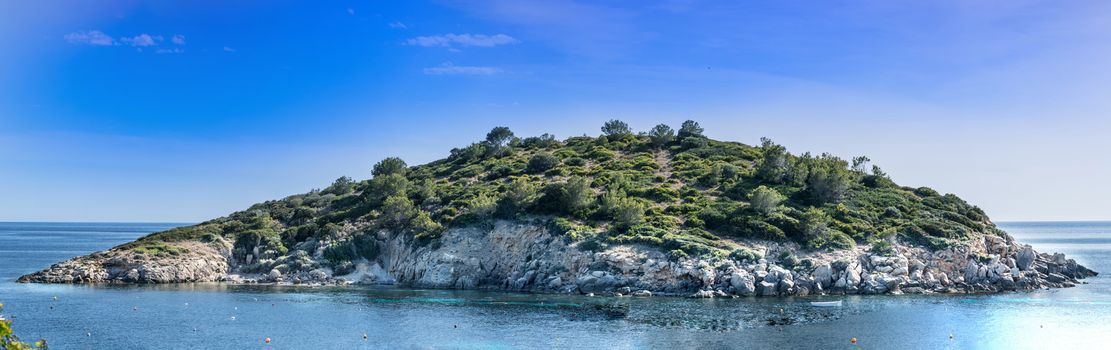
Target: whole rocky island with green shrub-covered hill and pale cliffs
<point>657,213</point>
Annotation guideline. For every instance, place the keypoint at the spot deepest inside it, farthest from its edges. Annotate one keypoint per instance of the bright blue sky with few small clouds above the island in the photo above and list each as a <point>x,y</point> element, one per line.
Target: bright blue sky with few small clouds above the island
<point>183,112</point>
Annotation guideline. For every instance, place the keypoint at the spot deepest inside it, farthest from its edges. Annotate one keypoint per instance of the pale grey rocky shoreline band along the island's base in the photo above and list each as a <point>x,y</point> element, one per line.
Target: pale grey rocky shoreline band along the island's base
<point>524,257</point>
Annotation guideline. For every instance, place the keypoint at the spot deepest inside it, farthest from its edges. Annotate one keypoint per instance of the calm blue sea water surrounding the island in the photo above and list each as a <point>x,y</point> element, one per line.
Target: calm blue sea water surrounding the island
<point>241,317</point>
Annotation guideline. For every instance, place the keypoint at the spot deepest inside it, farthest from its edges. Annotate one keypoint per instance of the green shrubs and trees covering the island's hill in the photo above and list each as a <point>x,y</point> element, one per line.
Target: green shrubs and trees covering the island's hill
<point>677,191</point>
